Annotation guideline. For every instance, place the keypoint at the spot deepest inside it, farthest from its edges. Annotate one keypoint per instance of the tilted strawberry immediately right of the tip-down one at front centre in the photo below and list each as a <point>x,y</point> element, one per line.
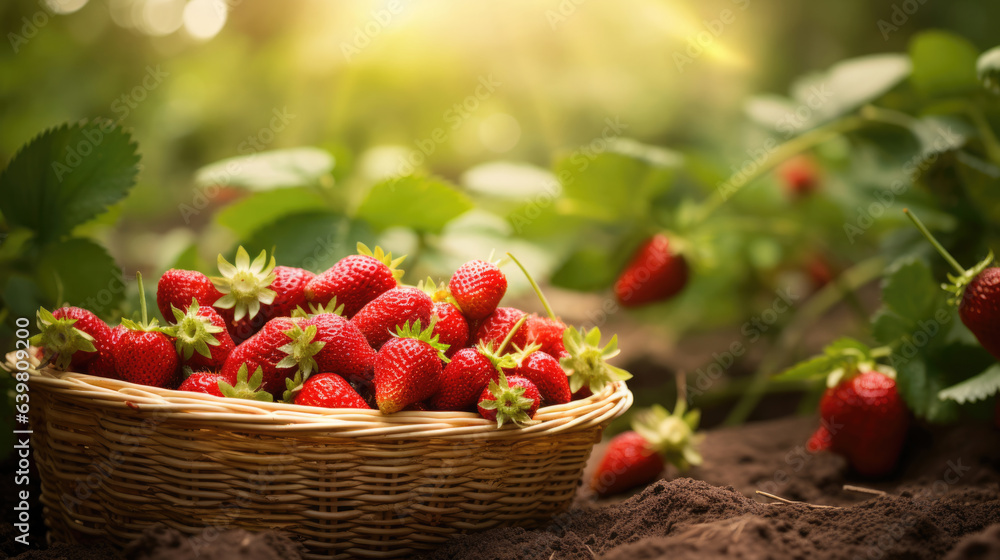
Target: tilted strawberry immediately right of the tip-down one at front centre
<point>465,377</point>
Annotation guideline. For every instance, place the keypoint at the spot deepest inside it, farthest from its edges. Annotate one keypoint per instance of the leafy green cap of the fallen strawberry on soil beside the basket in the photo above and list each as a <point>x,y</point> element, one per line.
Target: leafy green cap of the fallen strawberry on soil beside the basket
<point>672,435</point>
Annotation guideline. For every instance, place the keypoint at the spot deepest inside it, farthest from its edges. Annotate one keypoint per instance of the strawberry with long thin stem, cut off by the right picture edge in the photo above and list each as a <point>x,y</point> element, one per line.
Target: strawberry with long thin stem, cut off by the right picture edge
<point>977,292</point>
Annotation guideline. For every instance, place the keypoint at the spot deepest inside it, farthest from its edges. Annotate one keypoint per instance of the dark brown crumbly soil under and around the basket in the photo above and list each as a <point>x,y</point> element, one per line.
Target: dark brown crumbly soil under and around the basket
<point>945,501</point>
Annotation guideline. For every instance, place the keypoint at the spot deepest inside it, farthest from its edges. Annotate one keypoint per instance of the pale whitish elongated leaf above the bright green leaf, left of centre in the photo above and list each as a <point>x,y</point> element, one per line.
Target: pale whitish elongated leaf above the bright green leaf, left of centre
<point>264,171</point>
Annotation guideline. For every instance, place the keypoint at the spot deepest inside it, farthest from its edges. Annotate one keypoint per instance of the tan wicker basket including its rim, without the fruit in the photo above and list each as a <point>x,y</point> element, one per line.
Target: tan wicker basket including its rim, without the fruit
<point>115,458</point>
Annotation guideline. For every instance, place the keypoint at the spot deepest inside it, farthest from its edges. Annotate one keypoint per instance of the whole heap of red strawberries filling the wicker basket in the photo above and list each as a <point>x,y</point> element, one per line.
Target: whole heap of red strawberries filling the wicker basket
<point>352,336</point>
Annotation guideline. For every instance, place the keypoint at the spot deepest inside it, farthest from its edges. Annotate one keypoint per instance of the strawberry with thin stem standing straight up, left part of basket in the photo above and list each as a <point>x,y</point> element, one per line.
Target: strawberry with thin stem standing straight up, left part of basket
<point>143,354</point>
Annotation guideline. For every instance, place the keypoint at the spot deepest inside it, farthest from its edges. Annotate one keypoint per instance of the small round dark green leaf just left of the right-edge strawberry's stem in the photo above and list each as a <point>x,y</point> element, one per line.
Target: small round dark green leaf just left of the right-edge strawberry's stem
<point>910,291</point>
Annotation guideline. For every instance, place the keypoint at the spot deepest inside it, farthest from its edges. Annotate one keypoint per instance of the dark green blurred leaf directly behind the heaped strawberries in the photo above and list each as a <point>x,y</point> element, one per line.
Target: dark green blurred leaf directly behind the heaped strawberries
<point>310,240</point>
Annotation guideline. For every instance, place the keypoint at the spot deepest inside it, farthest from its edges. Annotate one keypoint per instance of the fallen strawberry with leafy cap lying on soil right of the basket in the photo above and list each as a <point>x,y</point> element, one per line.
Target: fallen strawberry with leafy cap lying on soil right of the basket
<point>637,457</point>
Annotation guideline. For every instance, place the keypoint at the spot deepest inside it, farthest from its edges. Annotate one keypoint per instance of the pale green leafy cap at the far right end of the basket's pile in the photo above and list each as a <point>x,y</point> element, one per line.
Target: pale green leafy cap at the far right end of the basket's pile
<point>587,364</point>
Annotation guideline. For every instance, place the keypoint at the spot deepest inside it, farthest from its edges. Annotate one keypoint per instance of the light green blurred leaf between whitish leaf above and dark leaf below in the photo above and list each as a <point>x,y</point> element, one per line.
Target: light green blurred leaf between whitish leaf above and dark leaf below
<point>253,212</point>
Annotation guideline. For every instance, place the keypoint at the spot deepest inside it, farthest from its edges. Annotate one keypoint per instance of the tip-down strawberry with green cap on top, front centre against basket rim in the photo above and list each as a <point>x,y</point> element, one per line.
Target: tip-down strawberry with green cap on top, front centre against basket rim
<point>407,368</point>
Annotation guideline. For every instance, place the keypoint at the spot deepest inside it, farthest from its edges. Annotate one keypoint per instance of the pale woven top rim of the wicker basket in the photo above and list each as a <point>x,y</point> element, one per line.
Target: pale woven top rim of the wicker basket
<point>121,397</point>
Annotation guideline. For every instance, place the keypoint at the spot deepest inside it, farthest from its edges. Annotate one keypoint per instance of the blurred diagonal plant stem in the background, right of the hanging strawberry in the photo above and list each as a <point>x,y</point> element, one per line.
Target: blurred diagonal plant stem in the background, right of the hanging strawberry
<point>817,306</point>
